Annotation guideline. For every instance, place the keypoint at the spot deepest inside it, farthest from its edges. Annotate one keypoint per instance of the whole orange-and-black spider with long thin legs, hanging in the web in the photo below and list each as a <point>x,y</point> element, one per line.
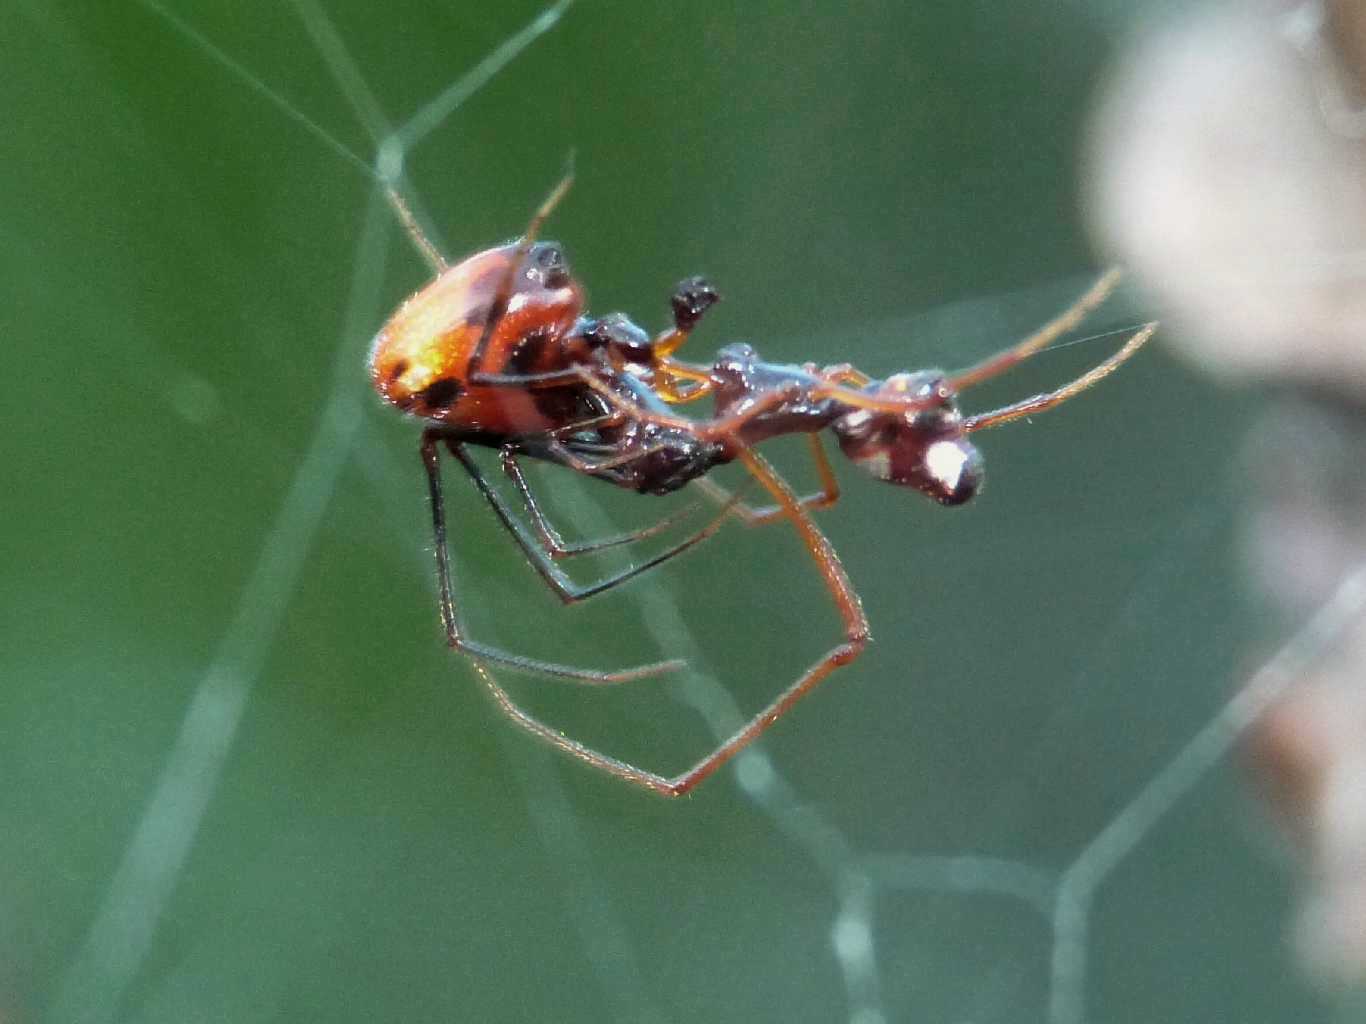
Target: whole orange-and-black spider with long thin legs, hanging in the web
<point>497,352</point>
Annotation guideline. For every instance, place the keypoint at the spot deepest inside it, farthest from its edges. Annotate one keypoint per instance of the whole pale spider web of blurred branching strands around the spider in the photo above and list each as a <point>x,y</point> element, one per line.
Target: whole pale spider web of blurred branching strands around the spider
<point>860,884</point>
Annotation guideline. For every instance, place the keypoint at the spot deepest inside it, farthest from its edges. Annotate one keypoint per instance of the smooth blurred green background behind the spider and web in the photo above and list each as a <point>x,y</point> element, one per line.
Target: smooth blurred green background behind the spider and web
<point>242,778</point>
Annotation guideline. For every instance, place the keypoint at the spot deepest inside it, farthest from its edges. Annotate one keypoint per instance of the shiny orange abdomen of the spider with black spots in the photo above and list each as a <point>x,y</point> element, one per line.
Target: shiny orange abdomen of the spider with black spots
<point>424,358</point>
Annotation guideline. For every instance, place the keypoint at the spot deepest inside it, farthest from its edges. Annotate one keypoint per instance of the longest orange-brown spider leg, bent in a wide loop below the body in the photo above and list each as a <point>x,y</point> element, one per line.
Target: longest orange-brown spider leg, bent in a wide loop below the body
<point>856,640</point>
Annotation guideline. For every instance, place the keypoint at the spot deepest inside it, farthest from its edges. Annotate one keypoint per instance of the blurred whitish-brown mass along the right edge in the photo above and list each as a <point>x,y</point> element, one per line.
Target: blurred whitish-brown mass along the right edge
<point>1229,171</point>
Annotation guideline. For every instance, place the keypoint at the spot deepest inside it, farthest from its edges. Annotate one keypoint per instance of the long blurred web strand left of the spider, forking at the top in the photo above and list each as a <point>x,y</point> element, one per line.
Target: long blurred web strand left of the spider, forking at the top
<point>151,868</point>
